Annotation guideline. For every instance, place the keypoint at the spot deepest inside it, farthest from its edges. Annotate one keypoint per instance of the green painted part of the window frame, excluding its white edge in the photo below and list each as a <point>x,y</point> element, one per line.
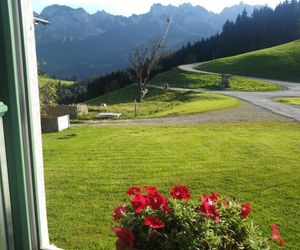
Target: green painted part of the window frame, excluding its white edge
<point>18,129</point>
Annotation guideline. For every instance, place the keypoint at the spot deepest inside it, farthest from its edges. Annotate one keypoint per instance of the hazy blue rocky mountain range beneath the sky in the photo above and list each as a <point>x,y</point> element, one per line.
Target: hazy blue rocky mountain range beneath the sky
<point>77,43</point>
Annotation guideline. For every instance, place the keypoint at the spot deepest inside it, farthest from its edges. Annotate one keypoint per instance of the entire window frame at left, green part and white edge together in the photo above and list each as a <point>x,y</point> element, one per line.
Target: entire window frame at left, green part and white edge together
<point>22,129</point>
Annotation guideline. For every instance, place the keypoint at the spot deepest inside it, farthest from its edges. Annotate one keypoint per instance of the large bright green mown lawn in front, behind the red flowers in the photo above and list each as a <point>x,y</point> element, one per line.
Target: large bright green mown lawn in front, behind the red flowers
<point>88,170</point>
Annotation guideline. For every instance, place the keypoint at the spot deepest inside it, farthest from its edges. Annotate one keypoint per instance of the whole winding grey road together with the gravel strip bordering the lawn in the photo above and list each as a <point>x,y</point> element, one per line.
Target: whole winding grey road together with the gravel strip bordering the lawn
<point>256,106</point>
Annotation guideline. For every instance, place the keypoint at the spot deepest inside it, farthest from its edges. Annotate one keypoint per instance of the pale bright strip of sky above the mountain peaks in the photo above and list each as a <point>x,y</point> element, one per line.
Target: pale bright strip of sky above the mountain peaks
<point>129,7</point>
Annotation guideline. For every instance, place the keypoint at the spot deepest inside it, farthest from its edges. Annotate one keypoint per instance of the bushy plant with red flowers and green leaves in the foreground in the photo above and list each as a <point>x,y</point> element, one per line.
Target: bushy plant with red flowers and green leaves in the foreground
<point>153,221</point>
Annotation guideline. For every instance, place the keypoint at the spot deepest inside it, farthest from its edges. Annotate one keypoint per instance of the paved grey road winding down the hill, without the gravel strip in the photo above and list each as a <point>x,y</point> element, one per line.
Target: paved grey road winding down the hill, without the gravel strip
<point>264,99</point>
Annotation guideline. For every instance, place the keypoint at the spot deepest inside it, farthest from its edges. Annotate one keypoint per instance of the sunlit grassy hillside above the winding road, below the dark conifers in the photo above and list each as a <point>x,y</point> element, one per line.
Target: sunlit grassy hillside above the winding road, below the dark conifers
<point>280,62</point>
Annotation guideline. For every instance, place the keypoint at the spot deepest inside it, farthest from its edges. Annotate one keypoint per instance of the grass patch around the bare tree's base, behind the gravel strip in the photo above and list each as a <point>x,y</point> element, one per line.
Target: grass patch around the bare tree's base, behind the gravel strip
<point>158,103</point>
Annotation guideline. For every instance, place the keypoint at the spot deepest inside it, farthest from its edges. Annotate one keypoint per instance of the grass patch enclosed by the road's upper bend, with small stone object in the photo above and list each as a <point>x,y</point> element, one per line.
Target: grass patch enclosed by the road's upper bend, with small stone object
<point>180,78</point>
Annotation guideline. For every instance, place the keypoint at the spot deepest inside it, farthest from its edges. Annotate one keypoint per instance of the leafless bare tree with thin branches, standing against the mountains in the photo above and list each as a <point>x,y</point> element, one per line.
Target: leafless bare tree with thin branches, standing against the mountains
<point>144,58</point>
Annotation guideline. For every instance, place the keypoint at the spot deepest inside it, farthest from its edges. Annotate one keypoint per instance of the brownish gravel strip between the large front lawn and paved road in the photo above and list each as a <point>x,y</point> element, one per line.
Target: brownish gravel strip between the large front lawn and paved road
<point>242,113</point>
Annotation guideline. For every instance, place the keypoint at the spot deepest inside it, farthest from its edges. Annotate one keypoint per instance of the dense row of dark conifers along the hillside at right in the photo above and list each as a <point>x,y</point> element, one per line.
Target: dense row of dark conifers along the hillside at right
<point>264,28</point>
